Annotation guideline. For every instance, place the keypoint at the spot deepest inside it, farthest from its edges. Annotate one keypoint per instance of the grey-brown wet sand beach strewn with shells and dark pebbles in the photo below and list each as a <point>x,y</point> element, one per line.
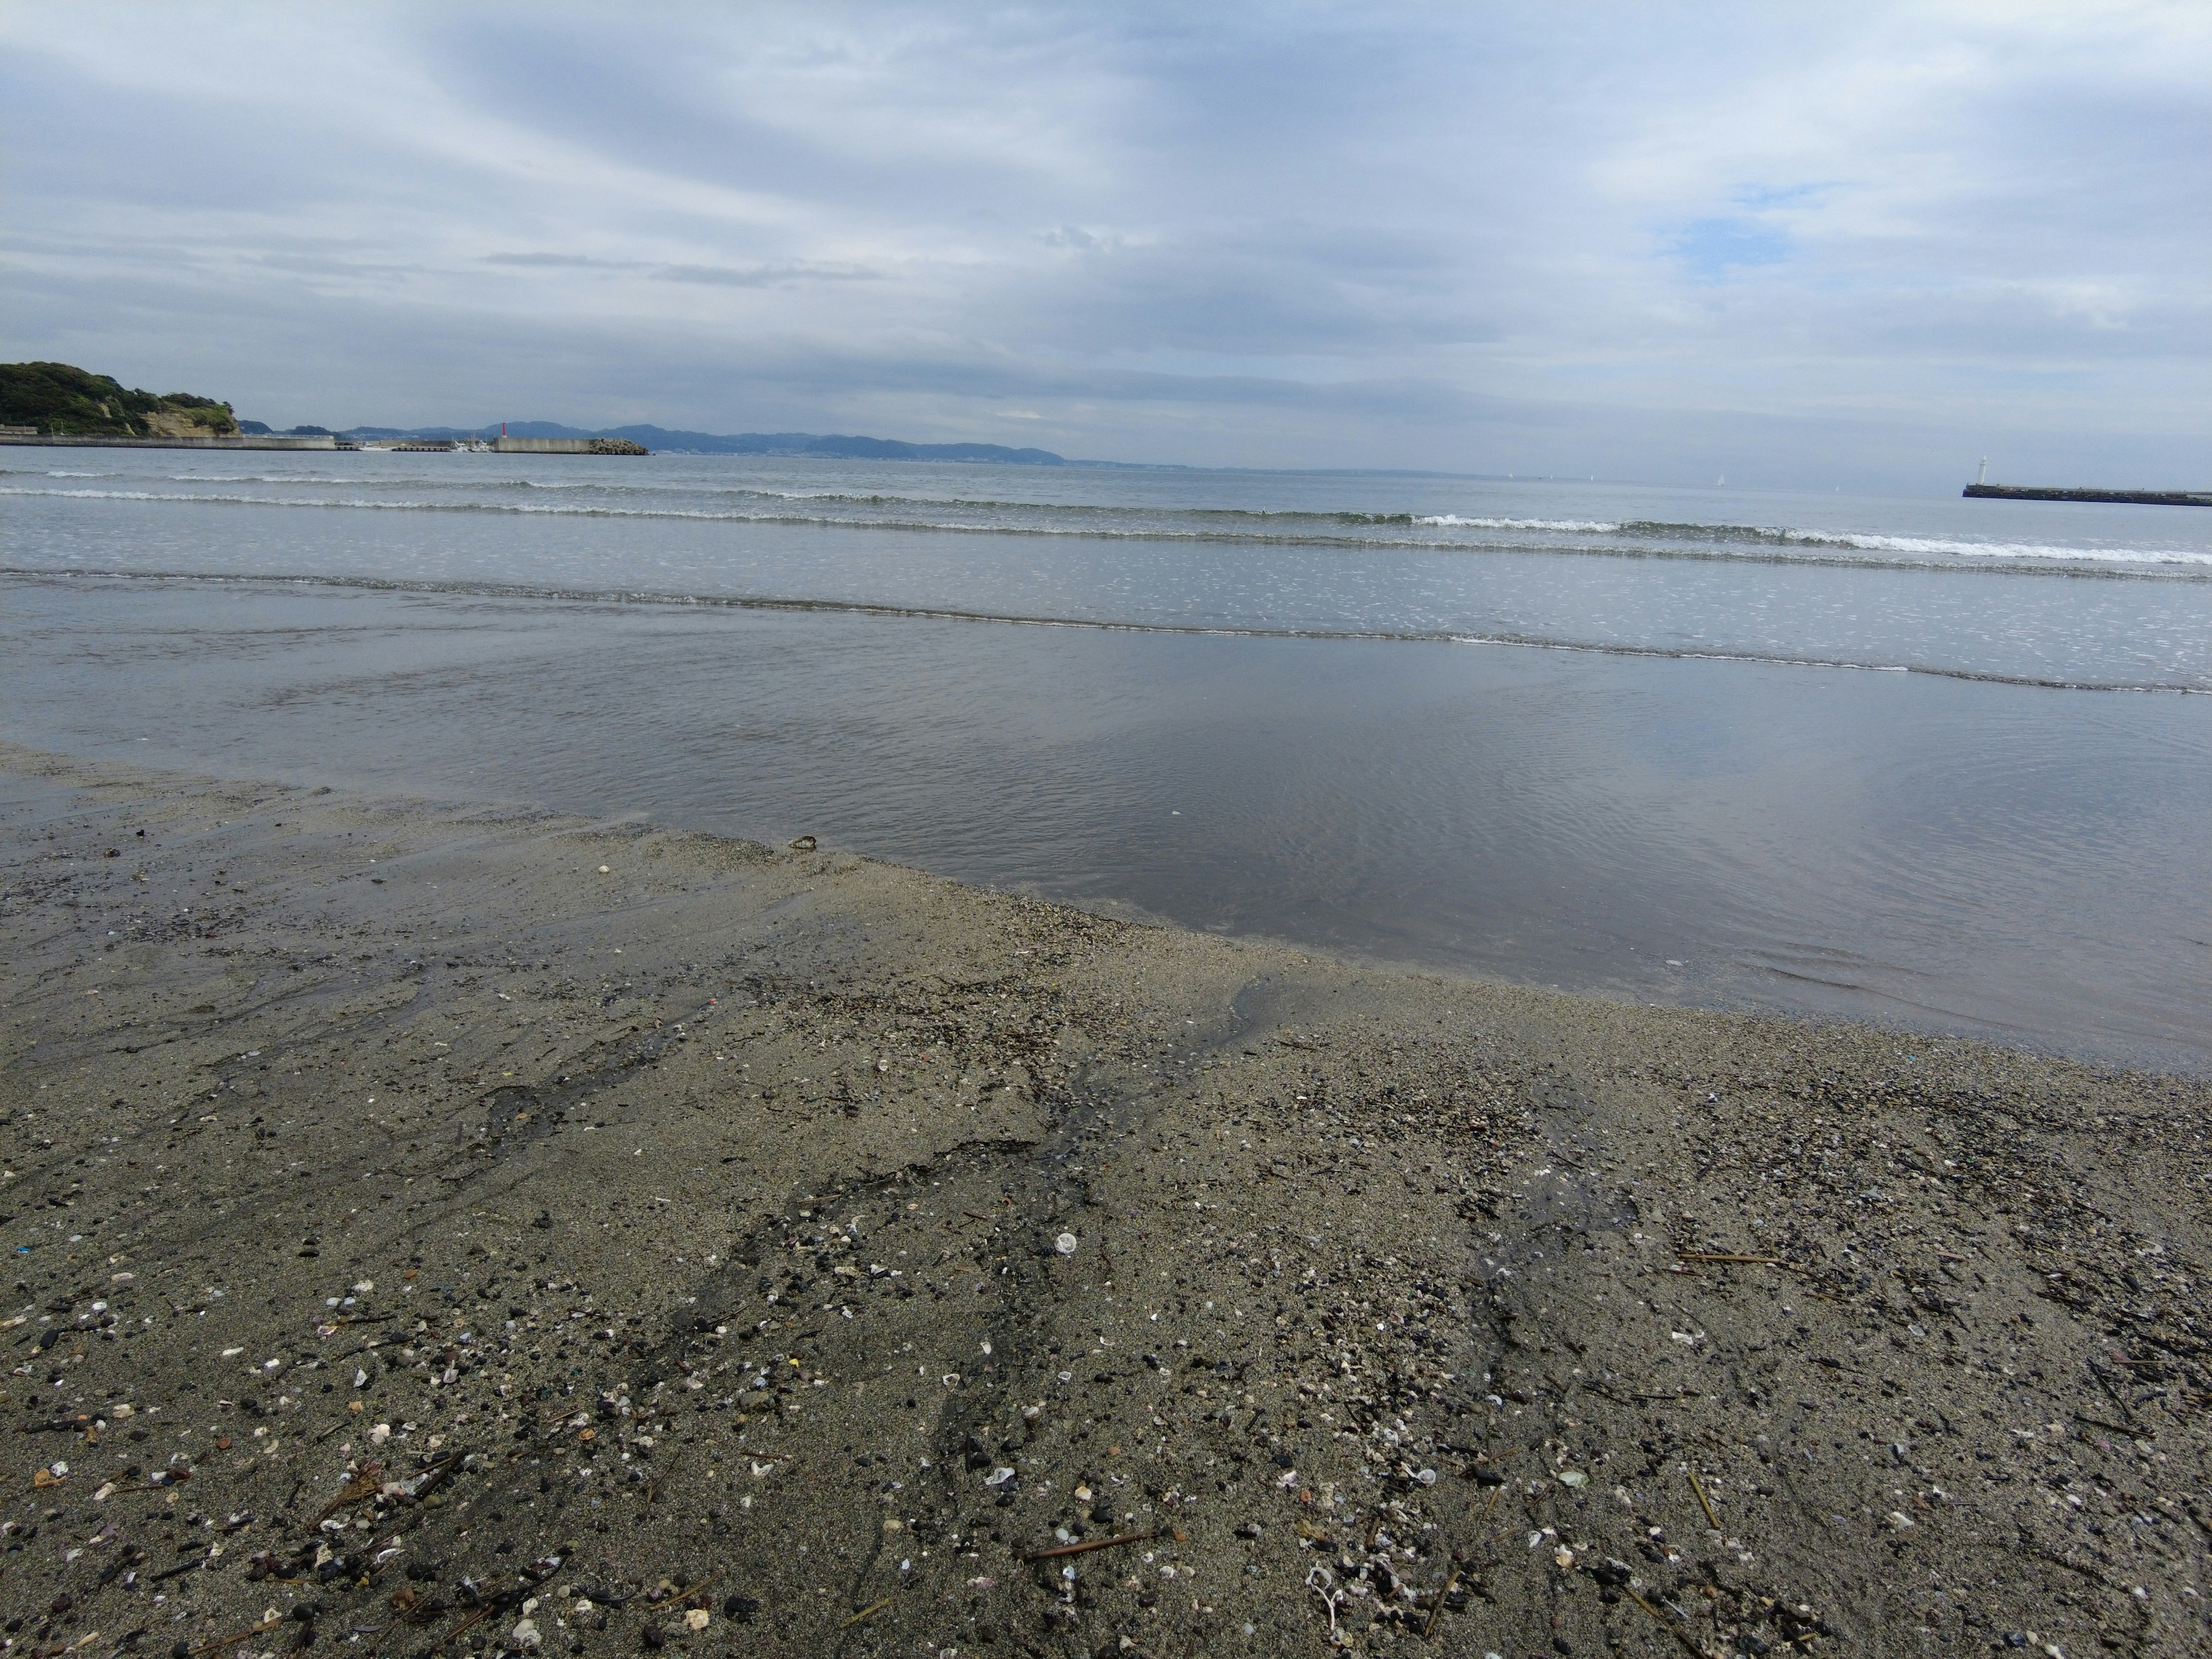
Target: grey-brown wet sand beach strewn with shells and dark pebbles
<point>448,1224</point>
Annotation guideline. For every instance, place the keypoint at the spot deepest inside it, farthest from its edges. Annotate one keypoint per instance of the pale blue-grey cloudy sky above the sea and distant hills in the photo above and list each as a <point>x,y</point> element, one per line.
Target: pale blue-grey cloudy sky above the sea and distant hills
<point>1853,244</point>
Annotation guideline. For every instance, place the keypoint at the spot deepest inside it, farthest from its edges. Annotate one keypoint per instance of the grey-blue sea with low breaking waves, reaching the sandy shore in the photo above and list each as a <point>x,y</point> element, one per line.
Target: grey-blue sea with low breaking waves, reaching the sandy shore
<point>1932,762</point>
